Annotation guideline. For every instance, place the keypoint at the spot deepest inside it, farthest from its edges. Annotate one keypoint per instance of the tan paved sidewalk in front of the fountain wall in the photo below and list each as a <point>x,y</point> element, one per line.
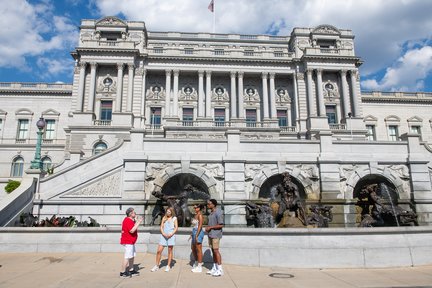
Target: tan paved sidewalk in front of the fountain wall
<point>40,270</point>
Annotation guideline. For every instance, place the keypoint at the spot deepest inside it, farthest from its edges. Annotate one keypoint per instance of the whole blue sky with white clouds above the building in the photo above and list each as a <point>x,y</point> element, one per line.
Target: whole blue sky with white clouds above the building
<point>392,37</point>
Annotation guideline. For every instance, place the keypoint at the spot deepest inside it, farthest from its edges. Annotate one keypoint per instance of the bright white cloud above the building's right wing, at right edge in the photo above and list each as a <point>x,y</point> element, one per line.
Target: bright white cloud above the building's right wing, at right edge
<point>407,74</point>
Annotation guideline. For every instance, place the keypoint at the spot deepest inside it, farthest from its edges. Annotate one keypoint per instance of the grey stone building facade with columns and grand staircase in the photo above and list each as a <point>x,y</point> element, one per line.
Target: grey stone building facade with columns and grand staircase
<point>227,113</point>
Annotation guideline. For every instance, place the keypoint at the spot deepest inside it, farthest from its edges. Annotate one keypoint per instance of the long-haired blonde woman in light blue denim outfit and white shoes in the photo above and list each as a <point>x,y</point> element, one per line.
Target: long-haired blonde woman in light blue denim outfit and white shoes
<point>168,229</point>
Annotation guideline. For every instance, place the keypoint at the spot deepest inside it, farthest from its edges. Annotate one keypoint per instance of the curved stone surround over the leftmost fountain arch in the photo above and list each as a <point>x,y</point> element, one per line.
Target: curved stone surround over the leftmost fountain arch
<point>209,183</point>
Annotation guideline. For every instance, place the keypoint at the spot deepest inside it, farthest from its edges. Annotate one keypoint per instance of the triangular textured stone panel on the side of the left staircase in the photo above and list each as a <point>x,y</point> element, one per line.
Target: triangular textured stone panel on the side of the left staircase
<point>107,187</point>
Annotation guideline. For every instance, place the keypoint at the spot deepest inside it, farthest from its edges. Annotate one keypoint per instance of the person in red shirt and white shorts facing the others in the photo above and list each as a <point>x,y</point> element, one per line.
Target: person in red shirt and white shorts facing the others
<point>128,238</point>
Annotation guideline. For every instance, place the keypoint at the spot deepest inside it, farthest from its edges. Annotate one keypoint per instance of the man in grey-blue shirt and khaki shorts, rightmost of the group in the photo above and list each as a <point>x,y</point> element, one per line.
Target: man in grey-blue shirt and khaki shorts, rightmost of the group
<point>214,230</point>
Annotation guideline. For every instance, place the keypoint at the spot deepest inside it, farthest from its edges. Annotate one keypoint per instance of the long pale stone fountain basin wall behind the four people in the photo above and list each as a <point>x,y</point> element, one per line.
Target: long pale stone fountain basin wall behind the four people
<point>267,247</point>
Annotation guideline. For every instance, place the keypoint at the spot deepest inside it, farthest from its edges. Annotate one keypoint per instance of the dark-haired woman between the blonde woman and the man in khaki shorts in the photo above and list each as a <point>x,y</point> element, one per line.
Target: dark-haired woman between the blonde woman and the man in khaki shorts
<point>197,238</point>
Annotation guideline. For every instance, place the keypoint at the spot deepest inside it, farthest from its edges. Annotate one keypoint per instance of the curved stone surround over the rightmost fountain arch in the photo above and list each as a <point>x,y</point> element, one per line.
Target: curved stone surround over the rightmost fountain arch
<point>383,172</point>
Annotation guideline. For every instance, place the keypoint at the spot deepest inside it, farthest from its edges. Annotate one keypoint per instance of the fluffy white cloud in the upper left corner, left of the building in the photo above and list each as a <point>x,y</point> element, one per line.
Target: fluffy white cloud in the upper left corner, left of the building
<point>32,30</point>
